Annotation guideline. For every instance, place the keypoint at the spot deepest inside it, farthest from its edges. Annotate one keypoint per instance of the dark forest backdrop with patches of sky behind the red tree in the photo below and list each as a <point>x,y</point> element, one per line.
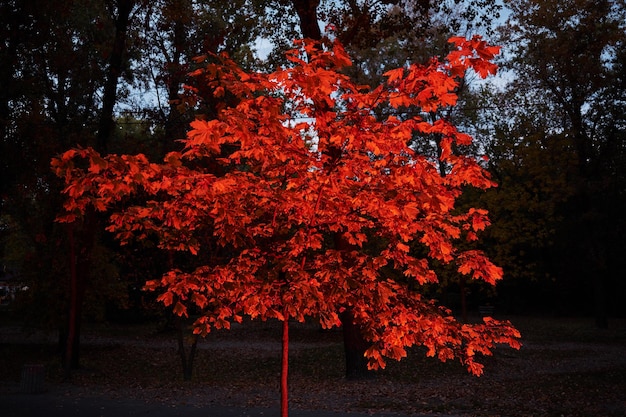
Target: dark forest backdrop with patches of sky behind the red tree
<point>109,74</point>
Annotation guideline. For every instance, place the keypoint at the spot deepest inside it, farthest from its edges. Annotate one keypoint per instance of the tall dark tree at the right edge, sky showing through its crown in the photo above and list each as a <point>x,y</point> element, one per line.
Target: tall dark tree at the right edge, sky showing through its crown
<point>559,145</point>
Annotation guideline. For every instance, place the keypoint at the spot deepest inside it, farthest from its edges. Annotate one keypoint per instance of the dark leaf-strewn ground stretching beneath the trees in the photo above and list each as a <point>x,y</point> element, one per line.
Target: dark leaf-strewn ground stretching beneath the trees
<point>566,367</point>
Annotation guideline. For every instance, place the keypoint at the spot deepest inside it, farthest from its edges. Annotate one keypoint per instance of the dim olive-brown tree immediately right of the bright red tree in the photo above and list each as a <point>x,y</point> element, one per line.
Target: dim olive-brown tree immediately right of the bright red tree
<point>529,161</point>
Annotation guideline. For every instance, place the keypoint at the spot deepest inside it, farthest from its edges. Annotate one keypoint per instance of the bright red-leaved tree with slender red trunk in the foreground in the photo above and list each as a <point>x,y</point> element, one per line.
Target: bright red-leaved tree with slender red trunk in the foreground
<point>308,159</point>
